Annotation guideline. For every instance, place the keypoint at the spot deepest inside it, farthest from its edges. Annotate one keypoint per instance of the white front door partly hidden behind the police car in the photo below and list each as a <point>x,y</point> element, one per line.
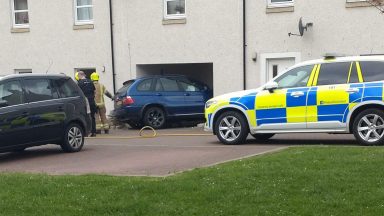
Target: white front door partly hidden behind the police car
<point>276,66</point>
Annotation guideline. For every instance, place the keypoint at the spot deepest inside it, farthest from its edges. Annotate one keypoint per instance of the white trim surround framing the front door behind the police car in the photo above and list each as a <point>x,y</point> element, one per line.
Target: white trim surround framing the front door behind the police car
<point>267,56</point>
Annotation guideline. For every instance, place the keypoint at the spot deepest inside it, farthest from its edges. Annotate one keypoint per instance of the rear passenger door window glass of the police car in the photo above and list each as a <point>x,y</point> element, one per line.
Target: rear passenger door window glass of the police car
<point>334,73</point>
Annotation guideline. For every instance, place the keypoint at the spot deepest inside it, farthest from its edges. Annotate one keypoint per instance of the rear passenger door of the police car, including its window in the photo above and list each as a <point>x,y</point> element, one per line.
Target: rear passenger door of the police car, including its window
<point>335,90</point>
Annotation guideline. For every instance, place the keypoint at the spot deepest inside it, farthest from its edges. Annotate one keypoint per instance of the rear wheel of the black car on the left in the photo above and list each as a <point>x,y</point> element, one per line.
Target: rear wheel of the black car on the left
<point>73,138</point>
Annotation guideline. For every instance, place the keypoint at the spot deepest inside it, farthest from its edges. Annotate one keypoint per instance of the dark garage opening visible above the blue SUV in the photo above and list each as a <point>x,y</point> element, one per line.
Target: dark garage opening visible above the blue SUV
<point>202,72</point>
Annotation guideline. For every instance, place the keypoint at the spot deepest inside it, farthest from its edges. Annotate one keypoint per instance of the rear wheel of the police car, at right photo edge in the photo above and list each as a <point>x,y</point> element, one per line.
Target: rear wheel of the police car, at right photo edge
<point>368,127</point>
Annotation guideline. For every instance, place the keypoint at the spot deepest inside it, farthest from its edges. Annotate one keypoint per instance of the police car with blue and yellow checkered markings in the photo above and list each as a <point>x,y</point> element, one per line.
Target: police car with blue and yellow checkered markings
<point>330,95</point>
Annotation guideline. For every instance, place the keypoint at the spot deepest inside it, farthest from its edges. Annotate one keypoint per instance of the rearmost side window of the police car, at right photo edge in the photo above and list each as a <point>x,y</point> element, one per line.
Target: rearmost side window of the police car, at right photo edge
<point>372,71</point>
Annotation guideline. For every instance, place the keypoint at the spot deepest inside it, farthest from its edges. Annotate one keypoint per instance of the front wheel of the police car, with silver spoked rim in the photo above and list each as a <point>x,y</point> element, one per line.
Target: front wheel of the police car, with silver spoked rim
<point>231,128</point>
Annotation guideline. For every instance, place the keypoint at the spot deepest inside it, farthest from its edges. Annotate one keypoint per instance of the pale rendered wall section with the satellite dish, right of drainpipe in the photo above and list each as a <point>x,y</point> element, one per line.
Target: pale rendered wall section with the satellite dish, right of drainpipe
<point>339,29</point>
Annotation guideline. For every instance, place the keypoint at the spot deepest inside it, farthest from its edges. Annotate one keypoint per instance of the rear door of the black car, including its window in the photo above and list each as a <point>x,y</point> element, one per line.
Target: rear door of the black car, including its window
<point>47,113</point>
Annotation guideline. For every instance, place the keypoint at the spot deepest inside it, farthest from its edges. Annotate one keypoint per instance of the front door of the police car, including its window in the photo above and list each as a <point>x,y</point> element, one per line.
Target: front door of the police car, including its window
<point>285,108</point>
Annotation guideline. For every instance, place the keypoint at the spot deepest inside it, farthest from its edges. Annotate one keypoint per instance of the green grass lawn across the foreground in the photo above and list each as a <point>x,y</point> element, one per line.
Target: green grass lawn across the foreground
<point>297,181</point>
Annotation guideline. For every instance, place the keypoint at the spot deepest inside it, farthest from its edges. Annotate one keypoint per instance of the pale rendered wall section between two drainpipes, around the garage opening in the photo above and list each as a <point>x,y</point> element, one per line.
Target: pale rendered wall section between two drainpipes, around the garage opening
<point>212,33</point>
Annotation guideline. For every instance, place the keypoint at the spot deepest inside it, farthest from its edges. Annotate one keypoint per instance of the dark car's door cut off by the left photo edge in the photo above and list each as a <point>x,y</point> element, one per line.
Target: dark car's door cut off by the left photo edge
<point>14,121</point>
